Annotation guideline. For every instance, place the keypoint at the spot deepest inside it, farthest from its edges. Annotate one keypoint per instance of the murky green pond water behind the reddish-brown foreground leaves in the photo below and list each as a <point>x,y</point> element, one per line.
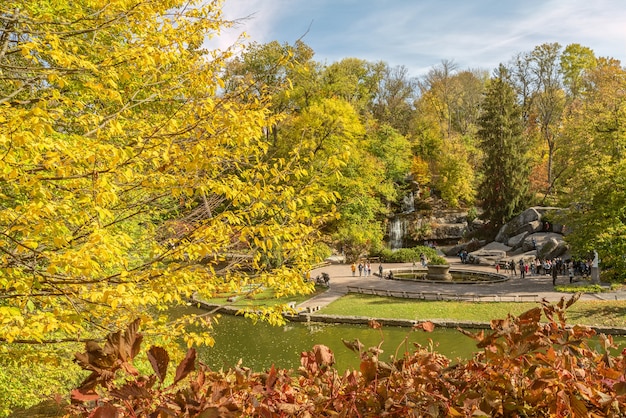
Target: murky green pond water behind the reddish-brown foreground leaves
<point>261,345</point>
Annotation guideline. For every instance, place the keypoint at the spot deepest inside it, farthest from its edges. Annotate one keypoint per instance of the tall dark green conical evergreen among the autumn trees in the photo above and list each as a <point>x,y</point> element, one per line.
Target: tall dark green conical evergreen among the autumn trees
<point>505,168</point>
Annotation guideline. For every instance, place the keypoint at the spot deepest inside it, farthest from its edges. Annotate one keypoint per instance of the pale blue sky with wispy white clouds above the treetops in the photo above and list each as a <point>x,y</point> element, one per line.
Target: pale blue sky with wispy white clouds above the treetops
<point>420,34</point>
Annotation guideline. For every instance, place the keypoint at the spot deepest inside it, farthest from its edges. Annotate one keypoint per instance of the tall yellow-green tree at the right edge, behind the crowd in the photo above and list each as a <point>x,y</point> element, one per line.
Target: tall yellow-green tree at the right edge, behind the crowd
<point>594,167</point>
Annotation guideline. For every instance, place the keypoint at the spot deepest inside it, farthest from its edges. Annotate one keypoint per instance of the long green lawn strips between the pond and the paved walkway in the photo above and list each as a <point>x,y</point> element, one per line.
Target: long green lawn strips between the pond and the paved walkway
<point>598,313</point>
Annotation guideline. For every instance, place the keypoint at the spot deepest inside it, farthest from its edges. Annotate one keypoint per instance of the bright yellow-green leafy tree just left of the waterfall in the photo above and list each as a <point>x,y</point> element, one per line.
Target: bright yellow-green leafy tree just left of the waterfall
<point>331,141</point>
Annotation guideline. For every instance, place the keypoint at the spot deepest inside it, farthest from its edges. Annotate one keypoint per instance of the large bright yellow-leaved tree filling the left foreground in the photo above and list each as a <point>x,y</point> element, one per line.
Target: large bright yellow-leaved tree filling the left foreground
<point>128,178</point>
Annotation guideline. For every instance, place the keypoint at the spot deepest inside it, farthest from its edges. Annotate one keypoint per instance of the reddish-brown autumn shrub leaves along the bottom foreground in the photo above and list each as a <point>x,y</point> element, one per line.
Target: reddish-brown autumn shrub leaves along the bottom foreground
<point>525,367</point>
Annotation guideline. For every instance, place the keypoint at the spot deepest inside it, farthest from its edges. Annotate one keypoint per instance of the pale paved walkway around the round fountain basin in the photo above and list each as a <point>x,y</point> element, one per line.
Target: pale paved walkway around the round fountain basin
<point>541,285</point>
